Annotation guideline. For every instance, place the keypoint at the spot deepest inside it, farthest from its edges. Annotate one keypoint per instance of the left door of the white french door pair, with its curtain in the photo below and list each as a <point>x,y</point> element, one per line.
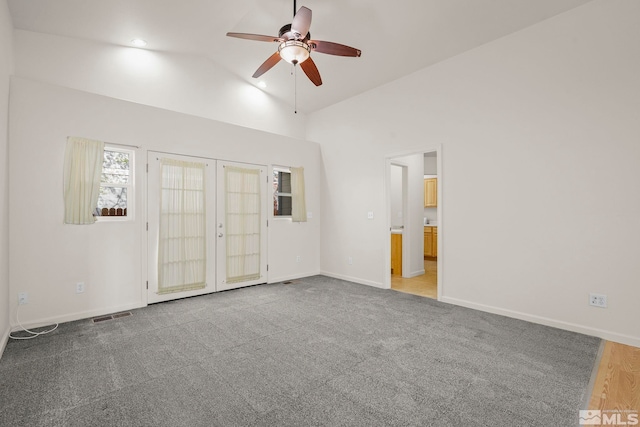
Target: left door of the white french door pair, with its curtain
<point>181,216</point>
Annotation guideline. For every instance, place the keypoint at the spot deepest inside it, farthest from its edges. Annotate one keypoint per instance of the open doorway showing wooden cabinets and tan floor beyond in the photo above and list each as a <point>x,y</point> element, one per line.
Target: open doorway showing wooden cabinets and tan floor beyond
<point>415,223</point>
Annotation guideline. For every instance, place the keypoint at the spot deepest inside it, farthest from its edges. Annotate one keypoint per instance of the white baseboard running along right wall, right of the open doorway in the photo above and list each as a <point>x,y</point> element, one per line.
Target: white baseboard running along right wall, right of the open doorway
<point>573,327</point>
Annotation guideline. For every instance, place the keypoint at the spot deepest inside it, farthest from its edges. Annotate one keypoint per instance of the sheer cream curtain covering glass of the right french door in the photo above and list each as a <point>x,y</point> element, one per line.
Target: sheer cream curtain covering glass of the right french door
<point>243,212</point>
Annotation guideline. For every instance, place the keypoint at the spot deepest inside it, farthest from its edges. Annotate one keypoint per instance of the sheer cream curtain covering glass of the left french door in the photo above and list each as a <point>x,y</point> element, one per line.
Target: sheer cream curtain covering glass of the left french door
<point>182,235</point>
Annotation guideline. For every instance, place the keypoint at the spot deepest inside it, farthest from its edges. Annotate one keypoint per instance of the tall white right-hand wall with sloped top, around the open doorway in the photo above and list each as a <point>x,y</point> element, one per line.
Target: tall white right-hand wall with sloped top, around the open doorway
<point>554,110</point>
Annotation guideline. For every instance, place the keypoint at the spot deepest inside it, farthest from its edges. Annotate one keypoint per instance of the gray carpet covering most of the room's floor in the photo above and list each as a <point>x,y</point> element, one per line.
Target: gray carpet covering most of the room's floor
<point>319,351</point>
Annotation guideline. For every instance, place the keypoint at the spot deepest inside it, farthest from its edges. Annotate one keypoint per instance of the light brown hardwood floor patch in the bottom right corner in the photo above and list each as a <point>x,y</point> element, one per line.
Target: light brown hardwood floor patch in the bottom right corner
<point>616,389</point>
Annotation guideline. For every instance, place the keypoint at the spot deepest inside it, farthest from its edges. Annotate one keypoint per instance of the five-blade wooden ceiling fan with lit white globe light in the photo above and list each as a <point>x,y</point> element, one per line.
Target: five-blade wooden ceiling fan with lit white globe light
<point>295,46</point>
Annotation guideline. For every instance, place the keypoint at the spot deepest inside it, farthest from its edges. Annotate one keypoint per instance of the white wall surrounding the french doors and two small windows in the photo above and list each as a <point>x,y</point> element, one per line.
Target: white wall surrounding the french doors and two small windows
<point>48,258</point>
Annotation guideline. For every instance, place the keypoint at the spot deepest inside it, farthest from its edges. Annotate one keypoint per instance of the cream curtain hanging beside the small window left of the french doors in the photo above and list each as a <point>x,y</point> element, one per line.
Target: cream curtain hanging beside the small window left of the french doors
<point>82,170</point>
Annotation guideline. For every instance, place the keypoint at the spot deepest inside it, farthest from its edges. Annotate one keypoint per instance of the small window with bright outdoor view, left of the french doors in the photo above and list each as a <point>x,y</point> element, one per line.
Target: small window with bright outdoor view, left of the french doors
<point>116,184</point>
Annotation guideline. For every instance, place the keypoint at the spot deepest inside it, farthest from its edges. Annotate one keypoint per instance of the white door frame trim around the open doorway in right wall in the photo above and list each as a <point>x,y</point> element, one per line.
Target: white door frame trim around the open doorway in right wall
<point>389,159</point>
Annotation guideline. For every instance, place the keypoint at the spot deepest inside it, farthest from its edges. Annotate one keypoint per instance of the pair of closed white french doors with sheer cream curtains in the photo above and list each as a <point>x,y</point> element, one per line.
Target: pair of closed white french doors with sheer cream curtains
<point>207,226</point>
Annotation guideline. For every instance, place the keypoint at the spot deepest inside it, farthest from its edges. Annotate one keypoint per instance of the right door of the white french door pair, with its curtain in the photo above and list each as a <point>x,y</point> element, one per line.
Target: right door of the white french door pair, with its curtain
<point>241,225</point>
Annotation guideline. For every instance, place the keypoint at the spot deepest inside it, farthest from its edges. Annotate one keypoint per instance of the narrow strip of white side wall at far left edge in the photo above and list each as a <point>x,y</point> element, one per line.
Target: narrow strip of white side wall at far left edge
<point>6,70</point>
